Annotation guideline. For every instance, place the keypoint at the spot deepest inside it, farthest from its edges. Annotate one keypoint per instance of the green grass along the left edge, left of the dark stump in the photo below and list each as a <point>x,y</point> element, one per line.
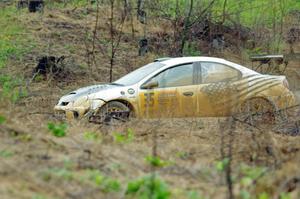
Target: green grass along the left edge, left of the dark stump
<point>14,43</point>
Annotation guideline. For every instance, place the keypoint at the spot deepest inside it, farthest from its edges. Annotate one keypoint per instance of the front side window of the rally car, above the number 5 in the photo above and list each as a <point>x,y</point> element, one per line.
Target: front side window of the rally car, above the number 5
<point>177,76</point>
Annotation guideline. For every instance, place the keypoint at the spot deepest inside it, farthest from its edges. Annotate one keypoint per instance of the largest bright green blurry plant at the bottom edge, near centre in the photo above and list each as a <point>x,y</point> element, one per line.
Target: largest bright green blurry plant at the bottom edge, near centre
<point>148,188</point>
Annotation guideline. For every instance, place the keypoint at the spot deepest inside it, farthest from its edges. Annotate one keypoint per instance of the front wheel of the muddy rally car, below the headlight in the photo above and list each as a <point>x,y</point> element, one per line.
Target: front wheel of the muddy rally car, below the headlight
<point>111,113</point>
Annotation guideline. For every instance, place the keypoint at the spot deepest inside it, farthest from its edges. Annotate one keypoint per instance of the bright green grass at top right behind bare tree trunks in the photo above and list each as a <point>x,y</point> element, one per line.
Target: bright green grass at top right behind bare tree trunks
<point>248,13</point>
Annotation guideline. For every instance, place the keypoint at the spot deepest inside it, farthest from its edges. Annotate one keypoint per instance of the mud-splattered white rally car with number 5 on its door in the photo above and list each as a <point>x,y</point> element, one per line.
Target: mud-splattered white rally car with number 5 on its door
<point>181,87</point>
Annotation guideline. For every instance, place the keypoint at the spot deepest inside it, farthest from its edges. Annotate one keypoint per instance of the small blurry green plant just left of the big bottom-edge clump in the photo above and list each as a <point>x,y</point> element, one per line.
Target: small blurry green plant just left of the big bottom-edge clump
<point>105,183</point>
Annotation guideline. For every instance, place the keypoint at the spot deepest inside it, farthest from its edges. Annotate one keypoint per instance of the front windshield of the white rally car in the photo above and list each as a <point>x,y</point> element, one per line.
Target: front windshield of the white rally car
<point>139,74</point>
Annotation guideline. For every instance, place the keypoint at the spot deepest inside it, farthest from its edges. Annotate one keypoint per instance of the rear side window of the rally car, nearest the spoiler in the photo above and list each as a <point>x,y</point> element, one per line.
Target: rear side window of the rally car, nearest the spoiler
<point>212,72</point>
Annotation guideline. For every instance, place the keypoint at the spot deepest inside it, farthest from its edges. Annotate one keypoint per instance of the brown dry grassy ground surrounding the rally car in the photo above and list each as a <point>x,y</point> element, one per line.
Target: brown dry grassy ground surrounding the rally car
<point>91,161</point>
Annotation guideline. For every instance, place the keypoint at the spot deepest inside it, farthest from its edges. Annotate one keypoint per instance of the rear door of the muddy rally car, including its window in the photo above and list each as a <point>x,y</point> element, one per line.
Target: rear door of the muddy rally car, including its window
<point>219,91</point>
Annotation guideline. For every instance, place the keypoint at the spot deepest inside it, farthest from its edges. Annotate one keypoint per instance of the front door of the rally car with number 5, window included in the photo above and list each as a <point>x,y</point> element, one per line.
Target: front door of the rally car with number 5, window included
<point>174,95</point>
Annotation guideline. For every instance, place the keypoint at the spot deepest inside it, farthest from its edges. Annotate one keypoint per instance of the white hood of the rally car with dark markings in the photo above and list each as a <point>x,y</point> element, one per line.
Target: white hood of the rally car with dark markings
<point>86,91</point>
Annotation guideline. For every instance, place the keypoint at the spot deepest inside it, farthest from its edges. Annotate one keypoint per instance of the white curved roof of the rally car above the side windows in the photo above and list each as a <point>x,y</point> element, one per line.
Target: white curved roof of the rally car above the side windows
<point>183,60</point>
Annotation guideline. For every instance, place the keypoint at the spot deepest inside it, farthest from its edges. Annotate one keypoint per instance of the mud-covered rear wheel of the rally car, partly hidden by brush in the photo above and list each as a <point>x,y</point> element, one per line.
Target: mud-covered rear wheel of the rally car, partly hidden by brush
<point>258,111</point>
